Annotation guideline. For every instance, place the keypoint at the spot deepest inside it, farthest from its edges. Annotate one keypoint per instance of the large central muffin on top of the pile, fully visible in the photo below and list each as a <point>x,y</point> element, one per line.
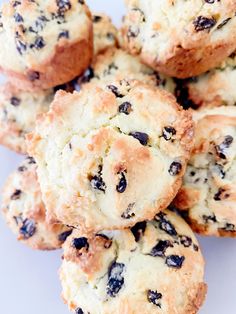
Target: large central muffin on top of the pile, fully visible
<point>110,157</point>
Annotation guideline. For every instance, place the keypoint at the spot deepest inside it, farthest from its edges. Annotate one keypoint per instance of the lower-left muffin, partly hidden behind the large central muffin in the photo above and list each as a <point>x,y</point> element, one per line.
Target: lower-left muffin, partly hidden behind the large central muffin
<point>24,210</point>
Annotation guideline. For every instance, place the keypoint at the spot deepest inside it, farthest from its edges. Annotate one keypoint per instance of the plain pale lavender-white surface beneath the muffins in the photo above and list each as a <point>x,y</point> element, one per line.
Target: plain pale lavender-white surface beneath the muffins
<point>29,282</point>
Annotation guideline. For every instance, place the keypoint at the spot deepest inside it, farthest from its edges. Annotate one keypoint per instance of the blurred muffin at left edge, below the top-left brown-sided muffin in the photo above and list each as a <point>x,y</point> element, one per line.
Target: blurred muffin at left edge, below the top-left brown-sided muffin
<point>18,111</point>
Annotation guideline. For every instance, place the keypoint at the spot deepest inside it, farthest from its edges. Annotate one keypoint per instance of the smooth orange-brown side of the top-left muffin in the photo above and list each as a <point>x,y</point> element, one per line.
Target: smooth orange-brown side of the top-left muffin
<point>54,72</point>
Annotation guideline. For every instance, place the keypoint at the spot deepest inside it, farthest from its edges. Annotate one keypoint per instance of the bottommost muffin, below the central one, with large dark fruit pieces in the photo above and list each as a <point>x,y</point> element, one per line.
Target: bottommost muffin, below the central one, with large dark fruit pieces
<point>156,267</point>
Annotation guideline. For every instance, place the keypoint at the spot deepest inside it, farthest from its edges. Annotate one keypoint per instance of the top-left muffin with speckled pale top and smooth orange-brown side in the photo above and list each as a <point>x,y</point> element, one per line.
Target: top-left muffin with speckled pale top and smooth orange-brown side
<point>36,69</point>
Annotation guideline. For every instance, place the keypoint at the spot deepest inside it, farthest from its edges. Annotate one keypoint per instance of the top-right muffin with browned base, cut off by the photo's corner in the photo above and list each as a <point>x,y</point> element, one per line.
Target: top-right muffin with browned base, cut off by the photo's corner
<point>180,38</point>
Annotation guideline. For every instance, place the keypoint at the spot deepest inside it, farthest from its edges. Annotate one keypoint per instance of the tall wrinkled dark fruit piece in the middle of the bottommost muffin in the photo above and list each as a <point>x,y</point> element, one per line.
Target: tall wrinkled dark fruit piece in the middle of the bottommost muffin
<point>115,279</point>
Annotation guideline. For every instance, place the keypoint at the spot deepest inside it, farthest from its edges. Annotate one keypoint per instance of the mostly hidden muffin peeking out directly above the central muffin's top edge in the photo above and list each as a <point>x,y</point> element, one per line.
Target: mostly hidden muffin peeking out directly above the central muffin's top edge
<point>116,64</point>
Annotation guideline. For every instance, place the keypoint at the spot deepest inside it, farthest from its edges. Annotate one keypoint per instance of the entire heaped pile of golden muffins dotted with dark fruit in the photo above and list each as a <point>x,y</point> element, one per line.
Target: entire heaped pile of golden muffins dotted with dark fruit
<point>129,136</point>
